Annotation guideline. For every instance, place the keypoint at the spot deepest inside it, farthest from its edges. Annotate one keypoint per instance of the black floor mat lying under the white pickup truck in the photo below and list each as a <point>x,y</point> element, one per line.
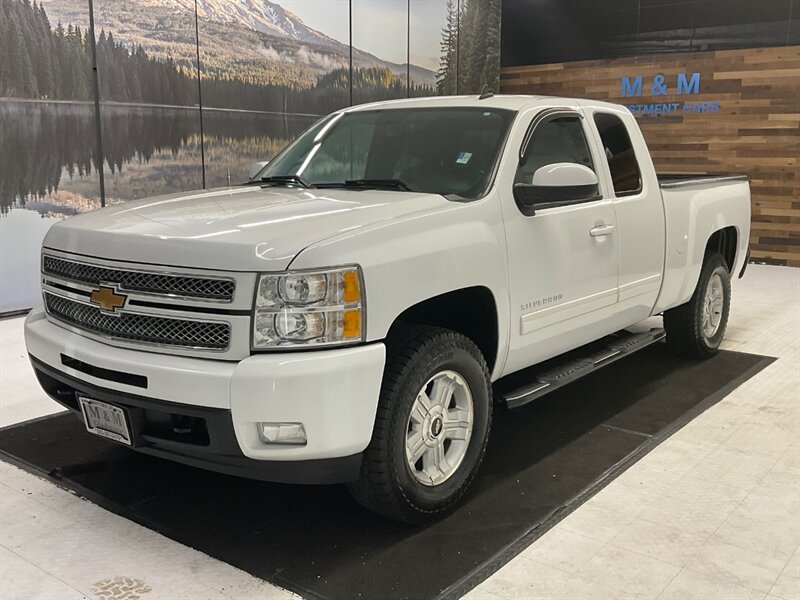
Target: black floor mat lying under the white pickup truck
<point>543,461</point>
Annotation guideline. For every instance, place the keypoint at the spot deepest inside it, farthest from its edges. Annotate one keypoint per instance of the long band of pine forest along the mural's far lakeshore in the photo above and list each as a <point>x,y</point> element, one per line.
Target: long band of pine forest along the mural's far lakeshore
<point>42,61</point>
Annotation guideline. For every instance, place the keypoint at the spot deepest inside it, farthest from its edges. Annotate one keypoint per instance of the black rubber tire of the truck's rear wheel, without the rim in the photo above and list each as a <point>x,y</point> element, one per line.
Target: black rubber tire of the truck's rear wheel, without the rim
<point>684,324</point>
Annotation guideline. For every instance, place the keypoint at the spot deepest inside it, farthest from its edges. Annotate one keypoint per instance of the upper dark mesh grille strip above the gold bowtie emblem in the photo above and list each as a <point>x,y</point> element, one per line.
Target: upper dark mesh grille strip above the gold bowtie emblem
<point>141,281</point>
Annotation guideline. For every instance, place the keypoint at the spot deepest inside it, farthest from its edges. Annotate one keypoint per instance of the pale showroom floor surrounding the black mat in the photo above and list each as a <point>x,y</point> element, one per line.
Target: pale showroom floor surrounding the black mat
<point>713,512</point>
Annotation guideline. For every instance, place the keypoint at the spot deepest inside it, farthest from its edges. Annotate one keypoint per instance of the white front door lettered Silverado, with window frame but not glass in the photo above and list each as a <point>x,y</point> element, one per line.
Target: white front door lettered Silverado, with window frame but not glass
<point>563,259</point>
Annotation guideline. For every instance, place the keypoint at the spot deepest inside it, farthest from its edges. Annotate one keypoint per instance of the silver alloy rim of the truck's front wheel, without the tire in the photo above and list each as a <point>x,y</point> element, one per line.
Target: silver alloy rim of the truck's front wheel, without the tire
<point>439,428</point>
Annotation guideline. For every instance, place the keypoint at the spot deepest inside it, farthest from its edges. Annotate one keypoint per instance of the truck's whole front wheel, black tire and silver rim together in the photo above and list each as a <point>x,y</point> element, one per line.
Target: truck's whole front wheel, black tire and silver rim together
<point>431,427</point>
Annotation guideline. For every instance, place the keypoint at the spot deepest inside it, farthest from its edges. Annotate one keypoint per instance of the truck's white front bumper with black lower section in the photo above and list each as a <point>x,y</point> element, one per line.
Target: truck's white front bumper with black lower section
<point>334,393</point>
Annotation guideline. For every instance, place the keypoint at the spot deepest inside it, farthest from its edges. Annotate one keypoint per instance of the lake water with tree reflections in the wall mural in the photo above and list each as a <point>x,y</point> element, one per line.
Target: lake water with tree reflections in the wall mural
<point>49,169</point>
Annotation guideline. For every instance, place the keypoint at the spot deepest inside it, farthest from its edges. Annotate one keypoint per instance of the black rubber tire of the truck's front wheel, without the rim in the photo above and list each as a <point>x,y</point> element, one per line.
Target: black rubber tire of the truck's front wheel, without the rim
<point>386,484</point>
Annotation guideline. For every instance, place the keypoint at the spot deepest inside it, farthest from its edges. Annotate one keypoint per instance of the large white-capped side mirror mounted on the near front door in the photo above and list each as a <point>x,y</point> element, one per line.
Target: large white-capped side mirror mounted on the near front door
<point>557,184</point>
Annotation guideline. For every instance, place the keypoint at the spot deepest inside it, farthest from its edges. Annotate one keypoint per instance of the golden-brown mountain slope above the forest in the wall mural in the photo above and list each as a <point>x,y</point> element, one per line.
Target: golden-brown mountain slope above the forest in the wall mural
<point>257,39</point>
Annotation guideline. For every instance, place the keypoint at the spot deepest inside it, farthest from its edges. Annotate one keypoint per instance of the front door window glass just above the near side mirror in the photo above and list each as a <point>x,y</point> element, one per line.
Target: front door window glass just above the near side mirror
<point>560,139</point>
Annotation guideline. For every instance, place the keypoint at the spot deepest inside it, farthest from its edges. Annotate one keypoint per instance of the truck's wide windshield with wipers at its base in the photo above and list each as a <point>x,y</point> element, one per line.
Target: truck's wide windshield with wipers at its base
<point>433,150</point>
